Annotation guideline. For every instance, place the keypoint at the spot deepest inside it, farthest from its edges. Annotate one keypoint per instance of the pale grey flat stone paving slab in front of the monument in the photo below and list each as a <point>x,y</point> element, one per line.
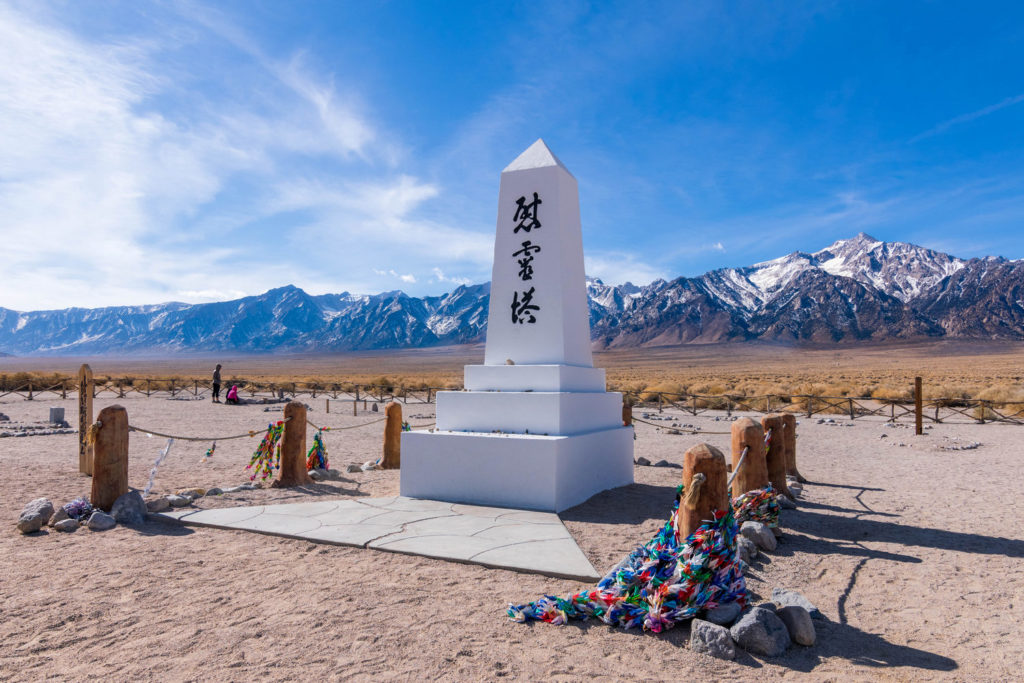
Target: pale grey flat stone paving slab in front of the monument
<point>500,538</point>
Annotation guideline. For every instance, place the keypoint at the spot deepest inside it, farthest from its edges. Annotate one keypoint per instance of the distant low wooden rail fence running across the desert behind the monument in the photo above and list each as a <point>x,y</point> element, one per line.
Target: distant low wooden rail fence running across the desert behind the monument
<point>933,410</point>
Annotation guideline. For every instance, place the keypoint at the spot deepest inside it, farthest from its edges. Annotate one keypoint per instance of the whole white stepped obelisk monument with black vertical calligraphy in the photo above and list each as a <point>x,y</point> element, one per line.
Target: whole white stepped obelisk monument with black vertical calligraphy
<point>535,428</point>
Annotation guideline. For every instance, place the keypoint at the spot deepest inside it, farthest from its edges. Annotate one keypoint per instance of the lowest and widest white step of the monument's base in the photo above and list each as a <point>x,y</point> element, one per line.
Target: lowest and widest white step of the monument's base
<point>535,473</point>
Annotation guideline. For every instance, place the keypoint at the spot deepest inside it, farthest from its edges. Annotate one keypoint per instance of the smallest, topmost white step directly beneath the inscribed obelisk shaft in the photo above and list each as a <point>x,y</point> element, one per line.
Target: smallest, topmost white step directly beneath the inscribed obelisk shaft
<point>535,378</point>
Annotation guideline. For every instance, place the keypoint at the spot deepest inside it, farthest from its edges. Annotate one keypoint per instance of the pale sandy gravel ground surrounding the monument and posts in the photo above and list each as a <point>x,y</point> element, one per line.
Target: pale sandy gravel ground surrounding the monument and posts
<point>914,554</point>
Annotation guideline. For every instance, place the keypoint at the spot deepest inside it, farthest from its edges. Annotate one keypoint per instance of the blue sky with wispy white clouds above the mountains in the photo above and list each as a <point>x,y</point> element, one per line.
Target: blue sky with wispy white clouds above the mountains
<point>197,152</point>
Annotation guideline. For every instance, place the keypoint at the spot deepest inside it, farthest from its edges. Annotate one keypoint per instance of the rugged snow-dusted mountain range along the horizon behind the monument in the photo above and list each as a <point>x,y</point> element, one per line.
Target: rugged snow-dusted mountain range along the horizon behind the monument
<point>857,290</point>
